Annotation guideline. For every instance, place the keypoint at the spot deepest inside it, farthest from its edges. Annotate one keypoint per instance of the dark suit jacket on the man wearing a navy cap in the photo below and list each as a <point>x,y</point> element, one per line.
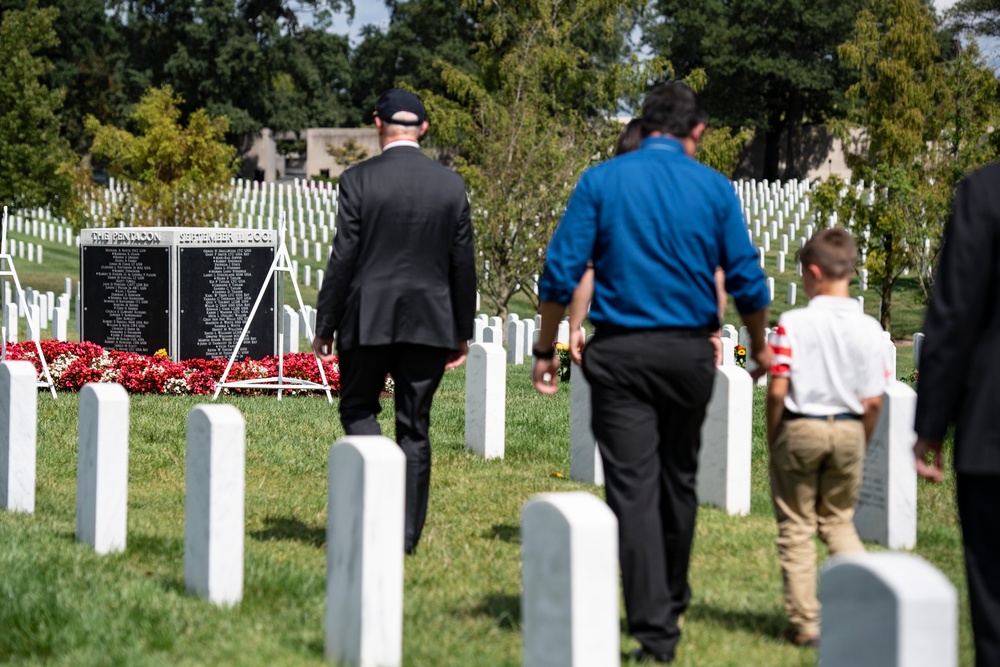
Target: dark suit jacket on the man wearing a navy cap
<point>402,268</point>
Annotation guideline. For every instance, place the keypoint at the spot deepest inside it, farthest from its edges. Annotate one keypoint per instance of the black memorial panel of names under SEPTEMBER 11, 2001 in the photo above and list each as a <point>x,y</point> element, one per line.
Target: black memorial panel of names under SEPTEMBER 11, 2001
<point>218,287</point>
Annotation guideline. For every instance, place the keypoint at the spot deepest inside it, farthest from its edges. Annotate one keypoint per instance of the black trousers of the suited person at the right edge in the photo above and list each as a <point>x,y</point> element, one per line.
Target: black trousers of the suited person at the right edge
<point>978,500</point>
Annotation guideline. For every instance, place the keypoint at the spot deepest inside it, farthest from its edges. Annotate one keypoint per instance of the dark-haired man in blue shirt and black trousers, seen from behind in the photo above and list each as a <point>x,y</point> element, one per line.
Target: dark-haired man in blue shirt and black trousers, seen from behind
<point>656,224</point>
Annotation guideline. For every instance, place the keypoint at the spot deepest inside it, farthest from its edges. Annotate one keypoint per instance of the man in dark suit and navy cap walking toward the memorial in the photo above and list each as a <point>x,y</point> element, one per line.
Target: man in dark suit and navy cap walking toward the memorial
<point>400,289</point>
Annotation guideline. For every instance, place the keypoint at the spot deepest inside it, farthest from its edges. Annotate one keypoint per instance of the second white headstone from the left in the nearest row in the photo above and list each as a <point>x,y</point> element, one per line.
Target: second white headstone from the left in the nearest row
<point>102,467</point>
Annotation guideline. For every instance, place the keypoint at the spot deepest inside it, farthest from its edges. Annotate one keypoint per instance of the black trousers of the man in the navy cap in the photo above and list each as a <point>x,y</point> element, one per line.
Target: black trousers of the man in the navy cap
<point>416,371</point>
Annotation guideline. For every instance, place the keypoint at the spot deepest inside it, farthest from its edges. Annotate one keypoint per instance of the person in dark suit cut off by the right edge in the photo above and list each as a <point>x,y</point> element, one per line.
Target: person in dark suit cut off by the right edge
<point>960,384</point>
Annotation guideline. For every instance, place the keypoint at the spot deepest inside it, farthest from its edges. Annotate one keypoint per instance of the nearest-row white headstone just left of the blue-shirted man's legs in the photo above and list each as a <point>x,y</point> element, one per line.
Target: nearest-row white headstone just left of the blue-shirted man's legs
<point>569,575</point>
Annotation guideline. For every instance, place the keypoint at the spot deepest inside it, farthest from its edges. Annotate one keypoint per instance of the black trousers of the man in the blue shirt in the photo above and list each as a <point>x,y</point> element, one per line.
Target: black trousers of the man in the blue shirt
<point>649,392</point>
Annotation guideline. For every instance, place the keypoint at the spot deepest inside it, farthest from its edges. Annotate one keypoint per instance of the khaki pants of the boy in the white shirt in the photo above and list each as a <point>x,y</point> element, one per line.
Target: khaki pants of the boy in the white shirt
<point>816,467</point>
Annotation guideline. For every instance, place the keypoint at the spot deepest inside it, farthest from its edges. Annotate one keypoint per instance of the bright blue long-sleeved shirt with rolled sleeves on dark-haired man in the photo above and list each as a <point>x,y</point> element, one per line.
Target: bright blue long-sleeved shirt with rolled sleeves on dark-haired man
<point>656,224</point>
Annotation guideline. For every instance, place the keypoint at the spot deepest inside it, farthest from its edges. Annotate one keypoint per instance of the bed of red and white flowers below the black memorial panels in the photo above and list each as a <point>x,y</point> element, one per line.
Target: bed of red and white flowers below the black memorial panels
<point>73,365</point>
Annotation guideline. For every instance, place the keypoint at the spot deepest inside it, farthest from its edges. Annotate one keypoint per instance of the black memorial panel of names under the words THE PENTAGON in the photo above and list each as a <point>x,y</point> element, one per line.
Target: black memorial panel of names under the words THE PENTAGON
<point>126,298</point>
